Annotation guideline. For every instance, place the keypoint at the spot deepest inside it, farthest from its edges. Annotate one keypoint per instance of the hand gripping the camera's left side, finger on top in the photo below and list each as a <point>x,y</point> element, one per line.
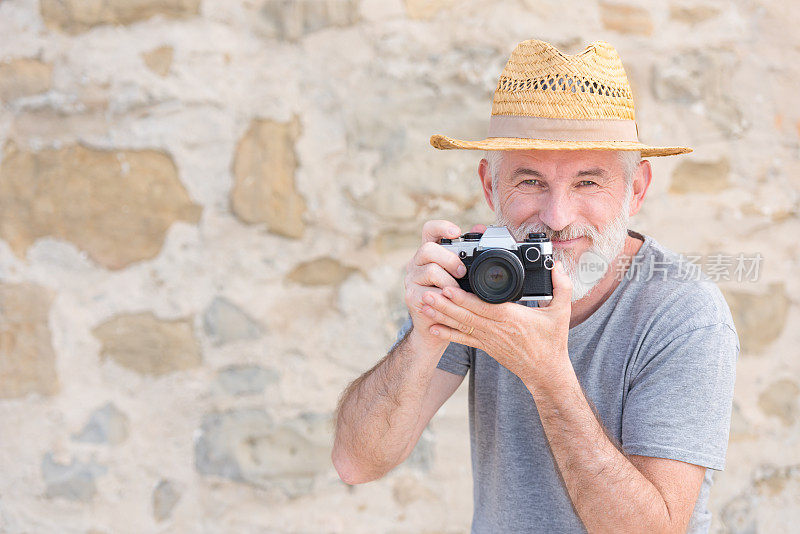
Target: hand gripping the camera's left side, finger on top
<point>432,269</point>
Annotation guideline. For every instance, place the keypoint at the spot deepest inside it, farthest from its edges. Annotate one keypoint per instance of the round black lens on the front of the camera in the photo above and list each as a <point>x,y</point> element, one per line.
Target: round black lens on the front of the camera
<point>497,276</point>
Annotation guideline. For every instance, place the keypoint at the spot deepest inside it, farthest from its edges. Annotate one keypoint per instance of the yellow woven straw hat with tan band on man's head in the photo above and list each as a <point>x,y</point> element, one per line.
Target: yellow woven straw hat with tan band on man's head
<point>548,100</point>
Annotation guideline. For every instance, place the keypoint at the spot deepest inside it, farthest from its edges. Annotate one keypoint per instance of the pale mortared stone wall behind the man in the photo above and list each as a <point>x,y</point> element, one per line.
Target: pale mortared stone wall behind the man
<point>206,208</point>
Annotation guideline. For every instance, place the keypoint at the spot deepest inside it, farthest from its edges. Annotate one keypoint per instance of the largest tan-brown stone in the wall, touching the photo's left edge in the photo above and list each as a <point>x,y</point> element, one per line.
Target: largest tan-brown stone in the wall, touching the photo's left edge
<point>116,205</point>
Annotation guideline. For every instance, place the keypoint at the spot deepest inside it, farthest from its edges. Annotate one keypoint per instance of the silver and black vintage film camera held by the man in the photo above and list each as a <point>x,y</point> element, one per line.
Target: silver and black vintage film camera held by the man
<point>500,269</point>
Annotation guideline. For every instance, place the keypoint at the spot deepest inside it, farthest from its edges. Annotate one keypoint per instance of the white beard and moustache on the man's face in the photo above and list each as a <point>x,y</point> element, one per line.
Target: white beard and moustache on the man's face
<point>587,270</point>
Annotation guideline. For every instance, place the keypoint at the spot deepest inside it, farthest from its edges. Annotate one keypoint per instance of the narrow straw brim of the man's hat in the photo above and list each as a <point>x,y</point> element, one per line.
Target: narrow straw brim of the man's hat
<point>442,142</point>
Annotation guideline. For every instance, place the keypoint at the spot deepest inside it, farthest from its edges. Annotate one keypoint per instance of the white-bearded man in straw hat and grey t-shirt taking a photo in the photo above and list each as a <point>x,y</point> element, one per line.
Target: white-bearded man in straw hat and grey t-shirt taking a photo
<point>603,411</point>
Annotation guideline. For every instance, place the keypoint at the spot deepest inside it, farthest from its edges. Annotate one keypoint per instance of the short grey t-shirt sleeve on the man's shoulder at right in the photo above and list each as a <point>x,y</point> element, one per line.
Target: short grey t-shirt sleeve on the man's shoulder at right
<point>678,405</point>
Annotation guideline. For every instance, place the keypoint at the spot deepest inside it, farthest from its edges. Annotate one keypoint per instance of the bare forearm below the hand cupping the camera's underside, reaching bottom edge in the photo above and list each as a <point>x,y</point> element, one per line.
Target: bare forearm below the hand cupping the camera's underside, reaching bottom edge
<point>608,492</point>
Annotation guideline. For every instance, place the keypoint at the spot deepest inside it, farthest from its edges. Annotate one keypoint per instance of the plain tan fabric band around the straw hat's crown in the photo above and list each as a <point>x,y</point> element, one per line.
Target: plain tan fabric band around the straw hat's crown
<point>563,129</point>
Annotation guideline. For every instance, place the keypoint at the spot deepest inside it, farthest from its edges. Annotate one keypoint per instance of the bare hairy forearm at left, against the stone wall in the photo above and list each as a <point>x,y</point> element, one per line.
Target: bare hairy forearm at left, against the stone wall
<point>379,411</point>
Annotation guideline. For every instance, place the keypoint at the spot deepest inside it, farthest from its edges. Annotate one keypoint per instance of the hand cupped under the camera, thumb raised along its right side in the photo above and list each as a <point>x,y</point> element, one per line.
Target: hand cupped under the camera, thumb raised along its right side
<point>529,342</point>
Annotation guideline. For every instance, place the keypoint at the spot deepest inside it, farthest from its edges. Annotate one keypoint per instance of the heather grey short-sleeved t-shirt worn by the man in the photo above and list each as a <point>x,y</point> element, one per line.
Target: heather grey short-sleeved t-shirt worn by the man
<point>657,360</point>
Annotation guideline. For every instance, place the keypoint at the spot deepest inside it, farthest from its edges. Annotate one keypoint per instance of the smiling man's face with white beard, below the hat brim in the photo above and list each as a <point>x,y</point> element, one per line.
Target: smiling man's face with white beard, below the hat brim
<point>576,197</point>
